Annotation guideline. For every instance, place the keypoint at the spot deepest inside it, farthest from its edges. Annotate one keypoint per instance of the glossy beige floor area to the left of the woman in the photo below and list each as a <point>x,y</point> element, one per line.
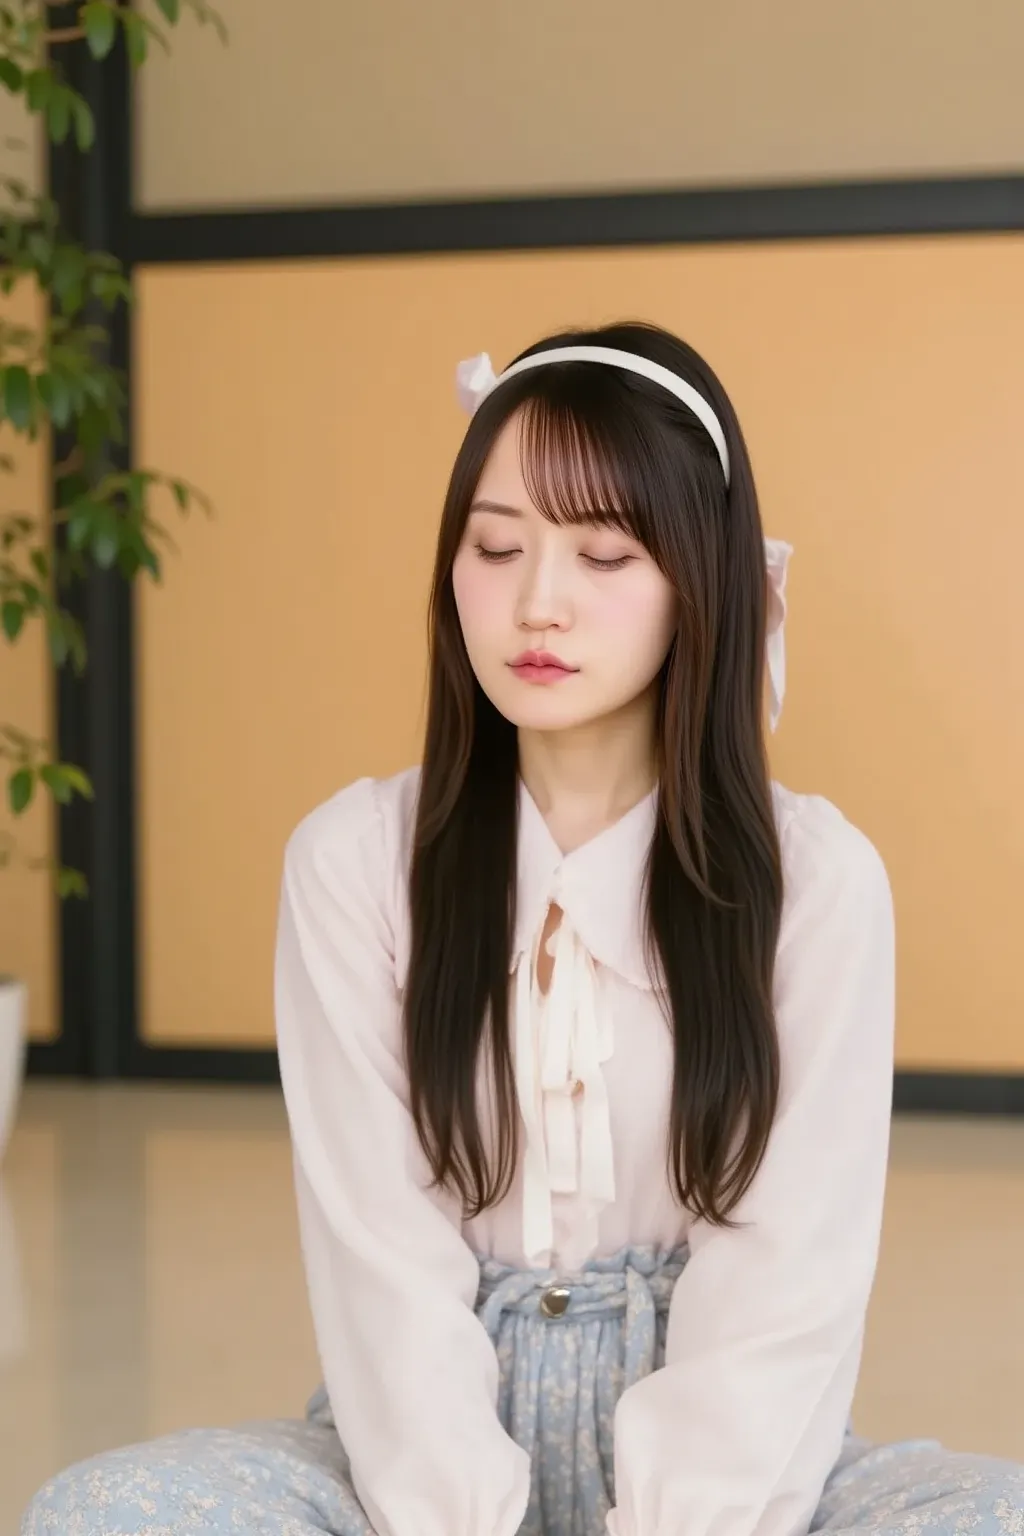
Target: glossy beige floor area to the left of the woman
<point>159,1270</point>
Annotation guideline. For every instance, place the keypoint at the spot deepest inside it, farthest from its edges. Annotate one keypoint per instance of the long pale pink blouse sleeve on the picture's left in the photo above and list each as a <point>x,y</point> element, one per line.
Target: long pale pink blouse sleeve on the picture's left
<point>411,1374</point>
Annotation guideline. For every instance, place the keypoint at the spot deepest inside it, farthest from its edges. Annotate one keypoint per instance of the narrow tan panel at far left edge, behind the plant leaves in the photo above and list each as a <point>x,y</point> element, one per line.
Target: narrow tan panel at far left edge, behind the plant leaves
<point>28,929</point>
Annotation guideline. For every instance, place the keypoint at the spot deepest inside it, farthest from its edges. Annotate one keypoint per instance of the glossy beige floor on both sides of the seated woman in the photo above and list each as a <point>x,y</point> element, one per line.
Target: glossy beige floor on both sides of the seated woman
<point>150,1279</point>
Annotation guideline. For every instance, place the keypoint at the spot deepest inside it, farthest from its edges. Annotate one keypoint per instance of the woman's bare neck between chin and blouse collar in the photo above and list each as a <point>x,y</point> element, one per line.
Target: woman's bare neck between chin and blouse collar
<point>589,778</point>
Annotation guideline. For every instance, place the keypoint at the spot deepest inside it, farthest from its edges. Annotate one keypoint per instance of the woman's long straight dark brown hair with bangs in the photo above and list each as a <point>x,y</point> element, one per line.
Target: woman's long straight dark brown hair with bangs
<point>603,439</point>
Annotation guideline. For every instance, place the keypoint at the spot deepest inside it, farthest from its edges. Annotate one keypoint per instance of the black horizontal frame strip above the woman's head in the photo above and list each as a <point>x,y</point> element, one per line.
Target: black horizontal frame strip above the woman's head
<point>813,211</point>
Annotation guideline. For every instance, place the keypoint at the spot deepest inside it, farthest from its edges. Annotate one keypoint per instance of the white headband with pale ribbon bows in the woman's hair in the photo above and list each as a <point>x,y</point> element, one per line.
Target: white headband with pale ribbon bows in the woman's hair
<point>477,380</point>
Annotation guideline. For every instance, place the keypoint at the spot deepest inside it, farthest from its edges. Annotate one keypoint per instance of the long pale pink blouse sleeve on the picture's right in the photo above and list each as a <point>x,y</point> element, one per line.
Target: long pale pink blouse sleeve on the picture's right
<point>741,1431</point>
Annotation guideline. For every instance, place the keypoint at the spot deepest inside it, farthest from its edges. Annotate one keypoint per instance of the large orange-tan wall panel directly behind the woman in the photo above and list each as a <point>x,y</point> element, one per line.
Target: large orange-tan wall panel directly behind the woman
<point>882,389</point>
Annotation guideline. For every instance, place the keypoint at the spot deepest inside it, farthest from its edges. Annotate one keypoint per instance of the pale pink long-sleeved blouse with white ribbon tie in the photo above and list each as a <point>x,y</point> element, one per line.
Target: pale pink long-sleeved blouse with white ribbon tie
<point>739,1432</point>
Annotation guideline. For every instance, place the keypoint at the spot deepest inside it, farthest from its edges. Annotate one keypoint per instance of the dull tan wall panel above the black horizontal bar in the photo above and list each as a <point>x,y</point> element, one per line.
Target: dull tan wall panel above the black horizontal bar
<point>335,102</point>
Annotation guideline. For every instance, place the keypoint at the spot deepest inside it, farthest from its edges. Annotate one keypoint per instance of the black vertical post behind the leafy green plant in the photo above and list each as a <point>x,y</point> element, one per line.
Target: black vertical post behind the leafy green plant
<point>94,712</point>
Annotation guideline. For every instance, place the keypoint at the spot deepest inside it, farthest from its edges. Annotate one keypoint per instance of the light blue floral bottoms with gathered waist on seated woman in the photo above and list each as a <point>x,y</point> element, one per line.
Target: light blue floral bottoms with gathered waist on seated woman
<point>567,1352</point>
